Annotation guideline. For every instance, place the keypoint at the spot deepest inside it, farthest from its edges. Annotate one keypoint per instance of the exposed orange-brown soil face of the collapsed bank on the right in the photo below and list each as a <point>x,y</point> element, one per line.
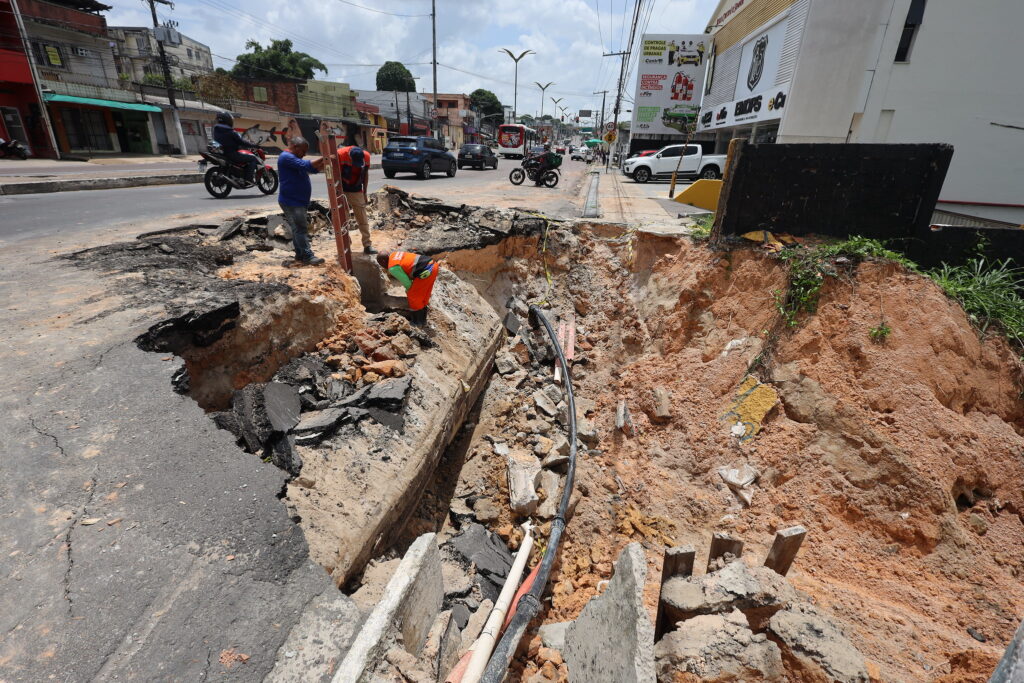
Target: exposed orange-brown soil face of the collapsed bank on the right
<point>904,459</point>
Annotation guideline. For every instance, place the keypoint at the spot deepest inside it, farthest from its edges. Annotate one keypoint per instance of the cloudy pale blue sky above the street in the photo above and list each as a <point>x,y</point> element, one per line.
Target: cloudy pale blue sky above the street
<point>353,40</point>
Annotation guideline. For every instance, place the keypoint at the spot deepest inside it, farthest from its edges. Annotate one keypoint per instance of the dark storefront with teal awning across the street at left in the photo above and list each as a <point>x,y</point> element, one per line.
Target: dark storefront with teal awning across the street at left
<point>87,125</point>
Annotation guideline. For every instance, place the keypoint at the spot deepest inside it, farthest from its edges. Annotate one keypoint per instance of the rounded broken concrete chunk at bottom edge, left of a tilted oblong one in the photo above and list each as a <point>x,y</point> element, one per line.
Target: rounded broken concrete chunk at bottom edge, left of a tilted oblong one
<point>718,649</point>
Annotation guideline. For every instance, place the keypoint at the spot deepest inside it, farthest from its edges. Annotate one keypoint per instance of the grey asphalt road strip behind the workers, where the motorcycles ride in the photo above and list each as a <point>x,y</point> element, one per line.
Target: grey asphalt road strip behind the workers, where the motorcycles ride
<point>64,215</point>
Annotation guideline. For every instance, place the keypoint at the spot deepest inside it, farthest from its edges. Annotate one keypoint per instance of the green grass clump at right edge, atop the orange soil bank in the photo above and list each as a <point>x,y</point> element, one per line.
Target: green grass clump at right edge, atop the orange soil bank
<point>990,291</point>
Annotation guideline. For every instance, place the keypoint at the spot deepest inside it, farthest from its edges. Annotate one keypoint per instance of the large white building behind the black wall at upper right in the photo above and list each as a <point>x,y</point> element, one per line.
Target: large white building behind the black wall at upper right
<point>879,71</point>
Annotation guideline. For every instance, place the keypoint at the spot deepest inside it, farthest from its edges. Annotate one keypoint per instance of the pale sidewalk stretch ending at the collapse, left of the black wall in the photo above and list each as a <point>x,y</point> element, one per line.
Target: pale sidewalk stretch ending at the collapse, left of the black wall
<point>623,201</point>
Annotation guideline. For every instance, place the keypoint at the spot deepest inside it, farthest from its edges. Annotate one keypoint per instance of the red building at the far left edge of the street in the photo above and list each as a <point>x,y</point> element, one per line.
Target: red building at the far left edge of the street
<point>21,113</point>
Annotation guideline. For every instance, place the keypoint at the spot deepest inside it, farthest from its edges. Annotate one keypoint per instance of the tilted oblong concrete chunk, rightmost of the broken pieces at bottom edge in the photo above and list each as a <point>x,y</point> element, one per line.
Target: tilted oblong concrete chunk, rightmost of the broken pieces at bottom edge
<point>814,639</point>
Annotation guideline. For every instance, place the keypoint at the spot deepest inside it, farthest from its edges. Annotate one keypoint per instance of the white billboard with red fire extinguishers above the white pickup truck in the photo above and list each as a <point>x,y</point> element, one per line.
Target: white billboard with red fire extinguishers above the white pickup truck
<point>670,81</point>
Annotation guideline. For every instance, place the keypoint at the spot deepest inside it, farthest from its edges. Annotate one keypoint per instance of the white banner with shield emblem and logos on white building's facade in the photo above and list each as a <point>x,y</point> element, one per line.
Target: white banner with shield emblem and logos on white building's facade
<point>757,98</point>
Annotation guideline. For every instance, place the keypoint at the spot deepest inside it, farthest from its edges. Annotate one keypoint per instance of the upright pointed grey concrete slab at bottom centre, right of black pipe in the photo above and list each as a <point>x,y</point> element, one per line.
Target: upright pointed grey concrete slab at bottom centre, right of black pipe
<point>613,639</point>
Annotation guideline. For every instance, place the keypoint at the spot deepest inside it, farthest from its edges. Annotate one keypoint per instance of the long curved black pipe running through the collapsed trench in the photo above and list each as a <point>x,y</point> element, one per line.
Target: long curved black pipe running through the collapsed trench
<point>530,605</point>
